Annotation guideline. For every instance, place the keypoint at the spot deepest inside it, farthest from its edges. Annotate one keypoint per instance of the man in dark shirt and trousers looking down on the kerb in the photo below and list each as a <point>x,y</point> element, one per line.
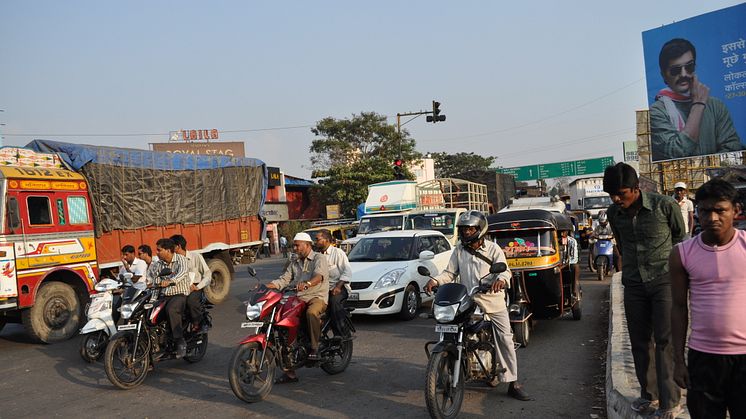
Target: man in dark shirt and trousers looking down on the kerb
<point>646,226</point>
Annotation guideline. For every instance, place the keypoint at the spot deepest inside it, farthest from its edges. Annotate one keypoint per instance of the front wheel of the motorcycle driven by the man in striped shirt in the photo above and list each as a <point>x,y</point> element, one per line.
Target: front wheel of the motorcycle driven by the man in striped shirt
<point>122,370</point>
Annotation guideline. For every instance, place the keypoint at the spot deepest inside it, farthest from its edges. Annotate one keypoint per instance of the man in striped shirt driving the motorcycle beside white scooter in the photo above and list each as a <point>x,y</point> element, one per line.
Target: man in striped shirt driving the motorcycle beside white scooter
<point>175,295</point>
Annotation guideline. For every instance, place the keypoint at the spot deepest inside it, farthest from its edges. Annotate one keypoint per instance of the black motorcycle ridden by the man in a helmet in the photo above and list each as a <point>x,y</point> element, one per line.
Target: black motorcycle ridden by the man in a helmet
<point>466,350</point>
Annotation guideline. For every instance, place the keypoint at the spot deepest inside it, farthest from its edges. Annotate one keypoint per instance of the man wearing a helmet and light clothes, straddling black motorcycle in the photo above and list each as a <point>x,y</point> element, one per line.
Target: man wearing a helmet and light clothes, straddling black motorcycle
<point>470,261</point>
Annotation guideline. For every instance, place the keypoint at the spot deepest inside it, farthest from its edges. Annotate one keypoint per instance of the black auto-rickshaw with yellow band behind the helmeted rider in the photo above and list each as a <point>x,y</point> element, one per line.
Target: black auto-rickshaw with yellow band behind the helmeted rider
<point>535,245</point>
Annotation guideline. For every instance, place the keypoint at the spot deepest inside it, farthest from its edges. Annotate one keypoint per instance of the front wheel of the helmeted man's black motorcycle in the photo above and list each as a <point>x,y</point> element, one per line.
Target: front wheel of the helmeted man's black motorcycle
<point>442,399</point>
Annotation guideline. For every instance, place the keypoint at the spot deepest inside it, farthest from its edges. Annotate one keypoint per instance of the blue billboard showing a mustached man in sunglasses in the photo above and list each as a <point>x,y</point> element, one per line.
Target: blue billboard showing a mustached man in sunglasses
<point>696,83</point>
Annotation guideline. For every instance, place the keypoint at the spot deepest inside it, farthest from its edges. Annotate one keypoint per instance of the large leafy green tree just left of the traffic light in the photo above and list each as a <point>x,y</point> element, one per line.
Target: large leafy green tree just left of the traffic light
<point>354,153</point>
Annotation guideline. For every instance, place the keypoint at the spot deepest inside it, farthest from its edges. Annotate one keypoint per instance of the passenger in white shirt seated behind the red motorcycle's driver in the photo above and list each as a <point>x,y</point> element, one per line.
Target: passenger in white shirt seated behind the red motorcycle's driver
<point>340,274</point>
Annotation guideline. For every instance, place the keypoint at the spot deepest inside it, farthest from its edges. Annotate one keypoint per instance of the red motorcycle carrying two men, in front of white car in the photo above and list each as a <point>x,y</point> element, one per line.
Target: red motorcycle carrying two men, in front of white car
<point>280,339</point>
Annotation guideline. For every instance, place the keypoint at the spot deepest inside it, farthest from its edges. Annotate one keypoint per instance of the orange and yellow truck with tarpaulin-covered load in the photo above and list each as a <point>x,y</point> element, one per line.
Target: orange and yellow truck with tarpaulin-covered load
<point>68,209</point>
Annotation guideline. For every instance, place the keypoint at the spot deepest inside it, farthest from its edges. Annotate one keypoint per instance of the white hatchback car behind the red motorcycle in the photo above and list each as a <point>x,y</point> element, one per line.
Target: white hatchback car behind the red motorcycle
<point>384,270</point>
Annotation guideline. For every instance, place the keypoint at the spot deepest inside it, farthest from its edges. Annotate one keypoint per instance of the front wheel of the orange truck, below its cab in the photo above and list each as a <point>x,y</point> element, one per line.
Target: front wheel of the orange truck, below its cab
<point>55,315</point>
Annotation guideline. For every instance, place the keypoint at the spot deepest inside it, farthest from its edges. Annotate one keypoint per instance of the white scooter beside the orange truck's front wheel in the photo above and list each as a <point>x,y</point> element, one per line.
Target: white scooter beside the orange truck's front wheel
<point>101,313</point>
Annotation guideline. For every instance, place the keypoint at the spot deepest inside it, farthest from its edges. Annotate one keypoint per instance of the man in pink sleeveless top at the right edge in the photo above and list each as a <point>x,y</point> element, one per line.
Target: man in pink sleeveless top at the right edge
<point>709,269</point>
